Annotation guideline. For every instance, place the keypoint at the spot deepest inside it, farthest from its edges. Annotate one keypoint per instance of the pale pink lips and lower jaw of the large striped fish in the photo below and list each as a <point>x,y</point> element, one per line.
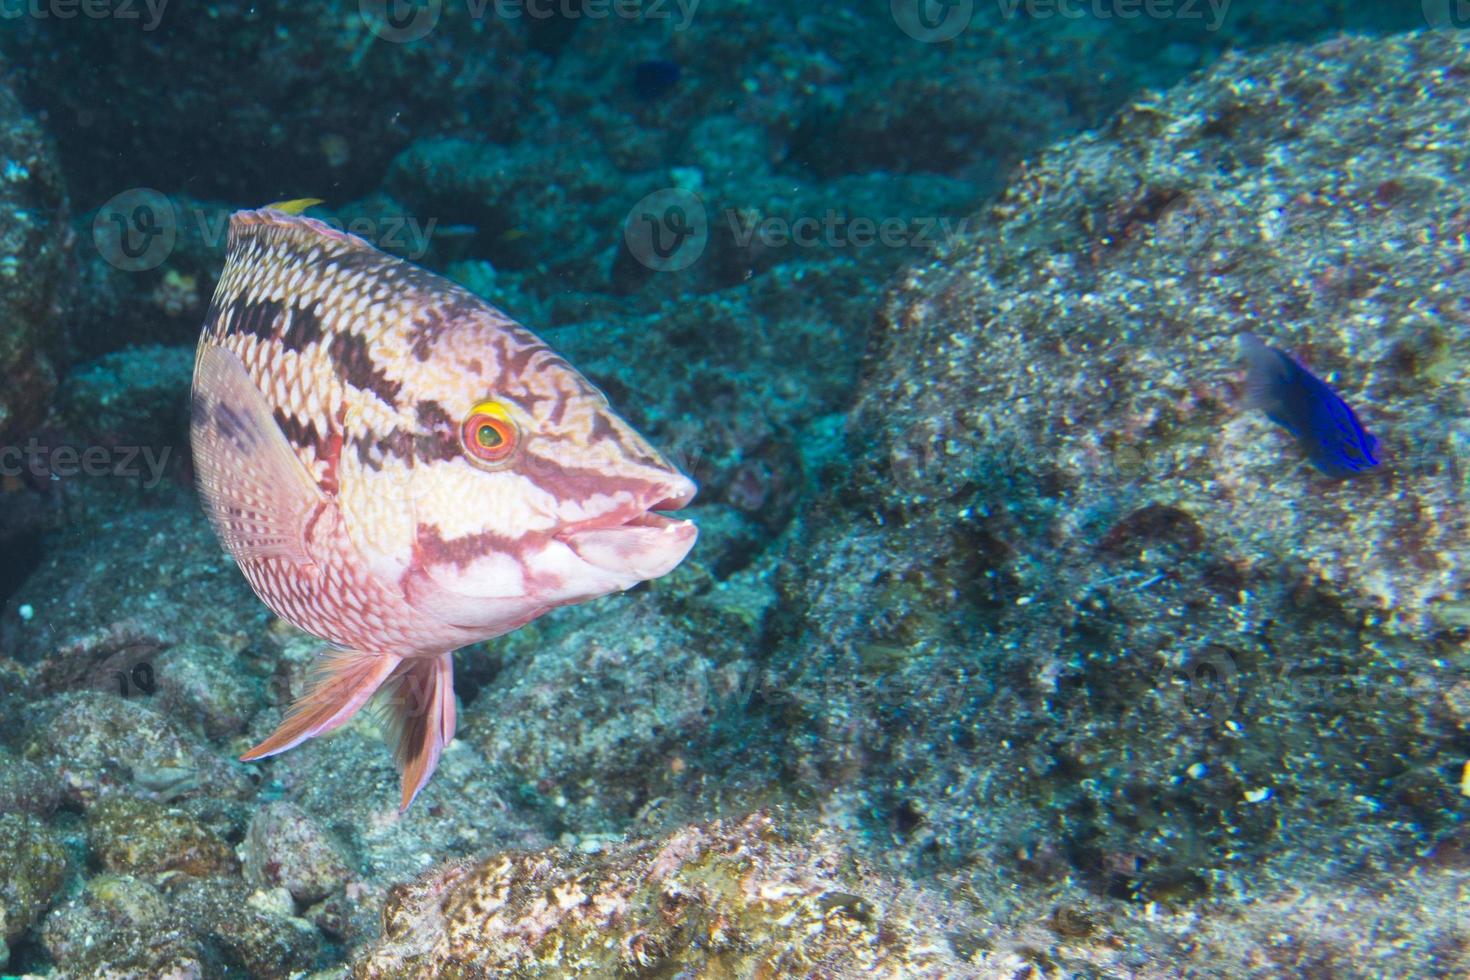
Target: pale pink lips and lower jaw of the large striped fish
<point>637,541</point>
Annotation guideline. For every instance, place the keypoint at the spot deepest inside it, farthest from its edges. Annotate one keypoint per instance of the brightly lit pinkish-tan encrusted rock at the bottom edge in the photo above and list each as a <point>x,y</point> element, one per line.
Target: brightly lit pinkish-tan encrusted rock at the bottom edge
<point>749,897</point>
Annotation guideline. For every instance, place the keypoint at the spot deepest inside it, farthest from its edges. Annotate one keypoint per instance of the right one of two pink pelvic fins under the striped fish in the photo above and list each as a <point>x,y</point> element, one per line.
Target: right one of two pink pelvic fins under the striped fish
<point>421,718</point>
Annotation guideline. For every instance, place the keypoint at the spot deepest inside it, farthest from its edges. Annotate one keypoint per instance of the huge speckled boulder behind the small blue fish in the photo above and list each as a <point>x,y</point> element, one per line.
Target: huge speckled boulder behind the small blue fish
<point>1077,599</point>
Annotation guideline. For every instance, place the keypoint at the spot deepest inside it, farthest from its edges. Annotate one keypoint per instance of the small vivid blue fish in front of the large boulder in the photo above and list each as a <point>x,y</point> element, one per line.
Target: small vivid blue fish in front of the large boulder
<point>1308,408</point>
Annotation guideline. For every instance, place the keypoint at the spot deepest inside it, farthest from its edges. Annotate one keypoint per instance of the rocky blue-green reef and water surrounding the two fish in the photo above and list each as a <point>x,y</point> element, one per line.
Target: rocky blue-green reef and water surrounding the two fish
<point>1018,641</point>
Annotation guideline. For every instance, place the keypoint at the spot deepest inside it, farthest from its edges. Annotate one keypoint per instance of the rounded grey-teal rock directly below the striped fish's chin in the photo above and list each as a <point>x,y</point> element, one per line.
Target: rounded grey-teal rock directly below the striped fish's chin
<point>593,716</point>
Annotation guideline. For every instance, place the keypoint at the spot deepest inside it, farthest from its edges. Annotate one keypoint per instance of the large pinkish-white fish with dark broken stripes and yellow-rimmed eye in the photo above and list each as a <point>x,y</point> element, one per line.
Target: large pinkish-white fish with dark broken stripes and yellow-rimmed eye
<point>402,471</point>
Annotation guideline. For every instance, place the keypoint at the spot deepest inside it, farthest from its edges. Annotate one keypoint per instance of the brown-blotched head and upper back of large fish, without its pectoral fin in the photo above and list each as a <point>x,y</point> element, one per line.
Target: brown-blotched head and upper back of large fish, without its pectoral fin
<point>473,465</point>
